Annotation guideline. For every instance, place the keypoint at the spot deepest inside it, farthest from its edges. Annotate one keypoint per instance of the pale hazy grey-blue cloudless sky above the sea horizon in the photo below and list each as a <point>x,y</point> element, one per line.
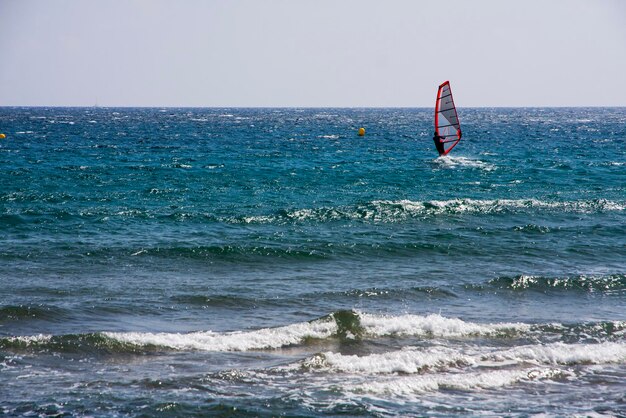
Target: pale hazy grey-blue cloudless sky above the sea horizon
<point>312,53</point>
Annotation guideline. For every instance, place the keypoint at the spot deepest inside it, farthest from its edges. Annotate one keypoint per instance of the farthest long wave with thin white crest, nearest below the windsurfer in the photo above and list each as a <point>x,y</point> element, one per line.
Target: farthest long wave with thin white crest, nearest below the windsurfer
<point>377,211</point>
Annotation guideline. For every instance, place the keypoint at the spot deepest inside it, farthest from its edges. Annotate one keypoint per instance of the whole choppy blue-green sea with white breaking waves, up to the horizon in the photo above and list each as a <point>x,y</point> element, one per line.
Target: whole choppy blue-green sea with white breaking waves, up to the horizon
<point>270,262</point>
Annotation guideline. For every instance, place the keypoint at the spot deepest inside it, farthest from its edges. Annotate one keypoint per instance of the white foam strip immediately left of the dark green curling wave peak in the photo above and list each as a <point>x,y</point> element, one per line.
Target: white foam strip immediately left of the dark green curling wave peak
<point>231,341</point>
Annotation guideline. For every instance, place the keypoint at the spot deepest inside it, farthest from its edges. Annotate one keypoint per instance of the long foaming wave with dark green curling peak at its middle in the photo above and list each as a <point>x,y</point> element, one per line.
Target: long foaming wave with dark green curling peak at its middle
<point>342,325</point>
